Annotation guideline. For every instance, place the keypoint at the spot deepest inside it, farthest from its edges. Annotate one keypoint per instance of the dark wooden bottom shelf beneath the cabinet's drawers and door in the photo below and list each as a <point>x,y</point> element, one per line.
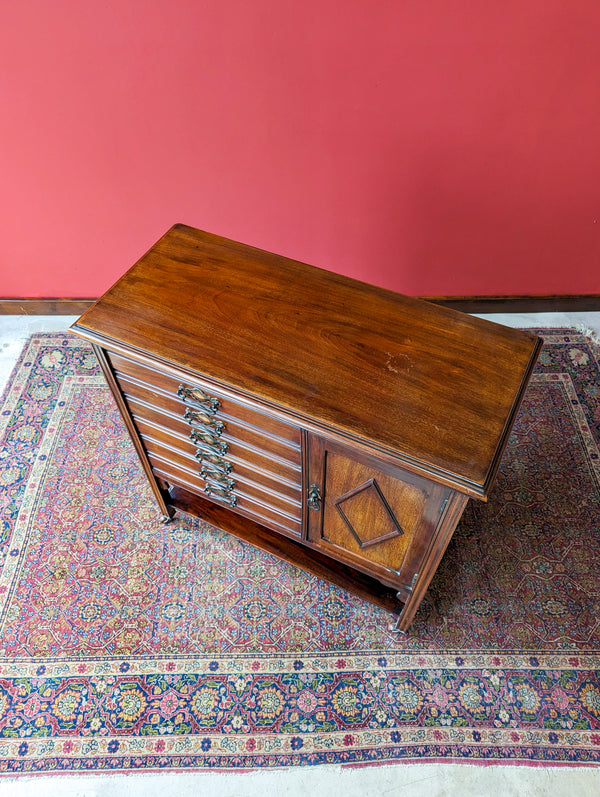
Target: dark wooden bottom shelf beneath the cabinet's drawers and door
<point>289,550</point>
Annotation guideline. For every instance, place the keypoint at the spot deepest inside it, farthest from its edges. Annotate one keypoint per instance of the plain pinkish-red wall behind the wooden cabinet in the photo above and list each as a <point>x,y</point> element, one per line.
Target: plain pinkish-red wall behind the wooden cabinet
<point>435,148</point>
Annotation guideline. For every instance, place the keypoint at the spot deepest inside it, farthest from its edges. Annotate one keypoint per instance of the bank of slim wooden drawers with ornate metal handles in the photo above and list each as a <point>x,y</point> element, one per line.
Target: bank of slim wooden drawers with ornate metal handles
<point>219,448</point>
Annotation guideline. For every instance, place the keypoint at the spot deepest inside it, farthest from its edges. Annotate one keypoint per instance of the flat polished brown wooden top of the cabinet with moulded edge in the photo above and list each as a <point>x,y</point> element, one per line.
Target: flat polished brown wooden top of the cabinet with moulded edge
<point>436,386</point>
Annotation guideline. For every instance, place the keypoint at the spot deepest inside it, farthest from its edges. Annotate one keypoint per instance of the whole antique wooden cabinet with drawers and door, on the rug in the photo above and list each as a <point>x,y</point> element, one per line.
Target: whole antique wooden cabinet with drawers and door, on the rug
<point>341,426</point>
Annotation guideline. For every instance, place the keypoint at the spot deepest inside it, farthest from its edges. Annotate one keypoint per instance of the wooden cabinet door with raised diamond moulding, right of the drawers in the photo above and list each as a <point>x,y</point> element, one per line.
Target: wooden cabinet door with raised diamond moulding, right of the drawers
<point>376,517</point>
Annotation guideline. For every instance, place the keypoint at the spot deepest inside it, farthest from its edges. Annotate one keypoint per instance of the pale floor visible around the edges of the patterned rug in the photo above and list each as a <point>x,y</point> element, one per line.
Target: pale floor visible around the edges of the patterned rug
<point>408,780</point>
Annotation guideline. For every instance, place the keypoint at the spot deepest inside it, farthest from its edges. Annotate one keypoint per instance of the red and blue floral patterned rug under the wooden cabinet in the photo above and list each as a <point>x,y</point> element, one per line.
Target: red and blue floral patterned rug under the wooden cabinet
<point>128,645</point>
